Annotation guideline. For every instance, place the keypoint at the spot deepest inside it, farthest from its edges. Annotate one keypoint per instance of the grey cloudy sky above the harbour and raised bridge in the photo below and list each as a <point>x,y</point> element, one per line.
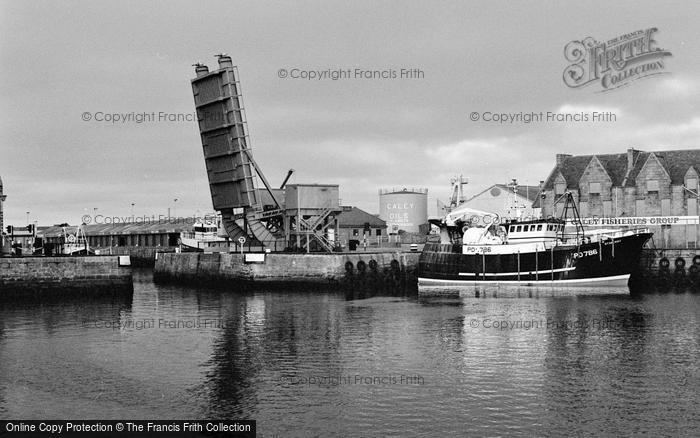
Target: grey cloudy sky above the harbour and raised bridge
<point>60,60</point>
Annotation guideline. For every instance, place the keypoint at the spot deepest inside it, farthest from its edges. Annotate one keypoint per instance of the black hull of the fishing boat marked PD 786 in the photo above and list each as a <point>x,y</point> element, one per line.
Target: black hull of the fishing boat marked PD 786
<point>607,263</point>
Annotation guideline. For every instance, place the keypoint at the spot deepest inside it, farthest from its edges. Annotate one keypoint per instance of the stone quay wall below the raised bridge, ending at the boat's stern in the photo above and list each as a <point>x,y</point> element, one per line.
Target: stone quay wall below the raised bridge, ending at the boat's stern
<point>377,270</point>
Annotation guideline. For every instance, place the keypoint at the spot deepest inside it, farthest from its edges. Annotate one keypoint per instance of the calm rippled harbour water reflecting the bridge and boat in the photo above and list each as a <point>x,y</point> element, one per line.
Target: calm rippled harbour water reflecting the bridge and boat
<point>327,364</point>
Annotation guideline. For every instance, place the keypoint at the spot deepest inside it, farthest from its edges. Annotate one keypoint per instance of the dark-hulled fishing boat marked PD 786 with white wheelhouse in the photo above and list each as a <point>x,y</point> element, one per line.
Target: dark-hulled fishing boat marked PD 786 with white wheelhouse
<point>480,248</point>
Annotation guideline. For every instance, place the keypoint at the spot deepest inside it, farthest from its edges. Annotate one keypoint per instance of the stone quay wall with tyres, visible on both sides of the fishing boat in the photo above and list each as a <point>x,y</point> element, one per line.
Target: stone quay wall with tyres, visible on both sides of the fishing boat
<point>657,268</point>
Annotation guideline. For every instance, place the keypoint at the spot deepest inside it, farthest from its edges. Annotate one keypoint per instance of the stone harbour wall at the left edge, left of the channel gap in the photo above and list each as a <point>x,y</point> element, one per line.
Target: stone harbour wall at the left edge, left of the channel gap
<point>47,276</point>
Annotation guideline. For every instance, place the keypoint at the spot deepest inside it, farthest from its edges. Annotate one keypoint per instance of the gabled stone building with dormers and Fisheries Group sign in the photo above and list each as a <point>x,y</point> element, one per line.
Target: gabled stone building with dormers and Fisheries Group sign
<point>656,190</point>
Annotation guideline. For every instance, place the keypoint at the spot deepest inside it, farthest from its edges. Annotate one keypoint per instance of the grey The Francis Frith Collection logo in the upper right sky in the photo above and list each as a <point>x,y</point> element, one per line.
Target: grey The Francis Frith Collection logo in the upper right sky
<point>614,63</point>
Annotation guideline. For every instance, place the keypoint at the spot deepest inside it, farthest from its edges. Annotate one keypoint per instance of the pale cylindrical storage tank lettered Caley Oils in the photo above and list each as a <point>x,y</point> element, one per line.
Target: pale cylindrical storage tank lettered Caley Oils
<point>403,209</point>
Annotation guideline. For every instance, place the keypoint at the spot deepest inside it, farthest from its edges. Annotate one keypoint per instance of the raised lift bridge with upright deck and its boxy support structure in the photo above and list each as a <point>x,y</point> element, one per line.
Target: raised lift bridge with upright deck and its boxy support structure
<point>258,215</point>
